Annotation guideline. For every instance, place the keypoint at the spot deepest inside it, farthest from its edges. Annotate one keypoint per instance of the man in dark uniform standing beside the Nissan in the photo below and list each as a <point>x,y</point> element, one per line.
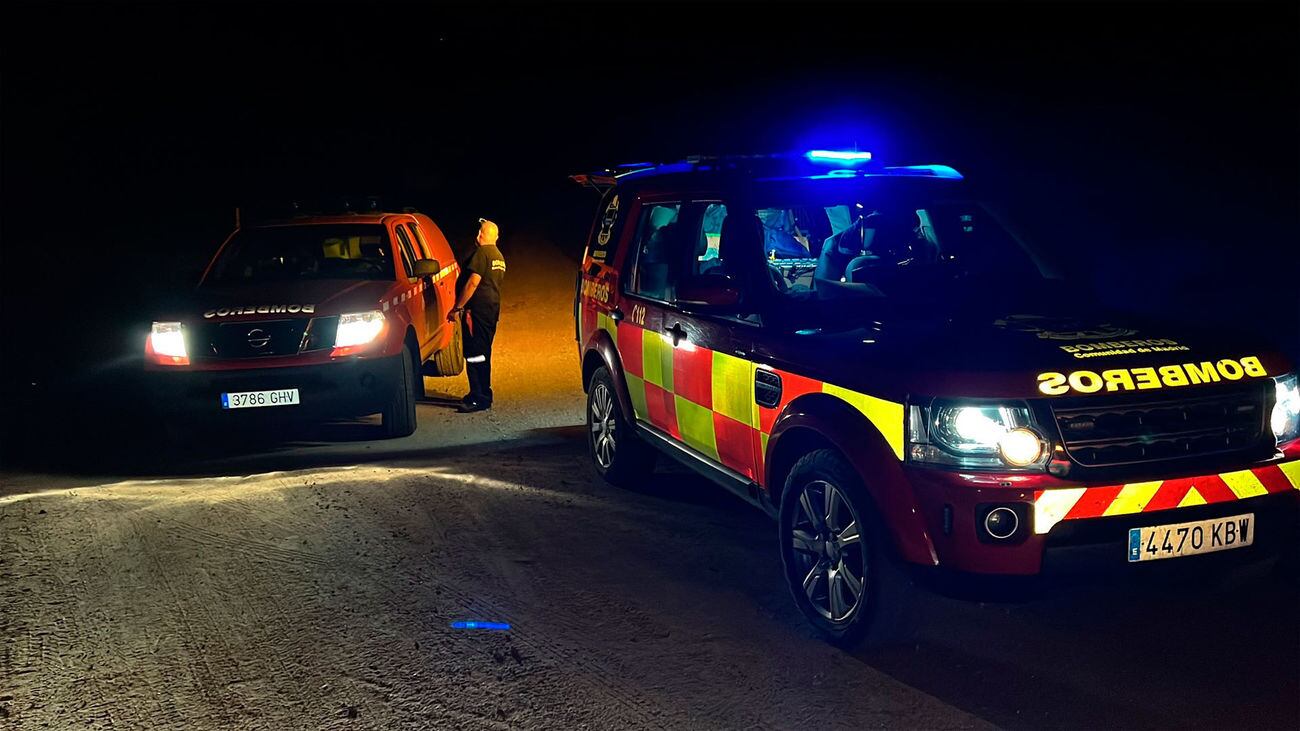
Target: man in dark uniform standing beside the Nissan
<point>479,306</point>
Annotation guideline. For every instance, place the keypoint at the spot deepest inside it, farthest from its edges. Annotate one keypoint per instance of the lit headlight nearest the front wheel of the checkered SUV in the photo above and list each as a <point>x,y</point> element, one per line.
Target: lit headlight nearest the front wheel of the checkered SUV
<point>976,435</point>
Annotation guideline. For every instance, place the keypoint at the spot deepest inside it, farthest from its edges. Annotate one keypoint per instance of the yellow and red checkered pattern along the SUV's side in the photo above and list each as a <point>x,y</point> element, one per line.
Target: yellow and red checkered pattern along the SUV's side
<point>705,399</point>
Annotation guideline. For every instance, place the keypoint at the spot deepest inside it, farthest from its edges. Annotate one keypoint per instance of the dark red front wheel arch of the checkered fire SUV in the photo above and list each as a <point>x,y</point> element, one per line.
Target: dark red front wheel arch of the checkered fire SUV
<point>822,421</point>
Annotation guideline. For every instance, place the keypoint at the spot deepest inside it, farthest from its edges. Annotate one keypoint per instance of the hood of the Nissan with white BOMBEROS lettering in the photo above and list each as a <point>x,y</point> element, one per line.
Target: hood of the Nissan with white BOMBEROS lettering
<point>281,300</point>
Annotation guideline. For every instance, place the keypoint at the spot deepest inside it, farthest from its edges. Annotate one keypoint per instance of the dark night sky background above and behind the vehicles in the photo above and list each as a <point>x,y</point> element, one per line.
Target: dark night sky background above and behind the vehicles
<point>1152,149</point>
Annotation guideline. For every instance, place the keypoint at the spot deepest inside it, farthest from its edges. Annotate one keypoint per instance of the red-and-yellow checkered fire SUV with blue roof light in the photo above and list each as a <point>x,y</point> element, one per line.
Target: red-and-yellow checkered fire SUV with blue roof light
<point>865,353</point>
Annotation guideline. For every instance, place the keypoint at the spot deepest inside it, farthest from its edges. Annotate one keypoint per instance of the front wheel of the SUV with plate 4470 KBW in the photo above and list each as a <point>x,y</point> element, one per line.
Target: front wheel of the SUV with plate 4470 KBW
<point>837,556</point>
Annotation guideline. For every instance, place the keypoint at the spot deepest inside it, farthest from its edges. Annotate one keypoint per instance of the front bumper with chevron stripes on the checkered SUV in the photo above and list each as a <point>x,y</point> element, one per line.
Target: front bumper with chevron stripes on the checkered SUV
<point>1067,527</point>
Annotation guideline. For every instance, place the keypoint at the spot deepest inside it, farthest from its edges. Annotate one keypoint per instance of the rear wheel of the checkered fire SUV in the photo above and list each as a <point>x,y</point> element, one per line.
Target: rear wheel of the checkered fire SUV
<point>618,455</point>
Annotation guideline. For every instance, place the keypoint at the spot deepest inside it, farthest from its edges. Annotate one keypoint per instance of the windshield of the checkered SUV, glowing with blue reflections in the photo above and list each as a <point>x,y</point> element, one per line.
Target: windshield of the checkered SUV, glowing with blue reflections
<point>899,241</point>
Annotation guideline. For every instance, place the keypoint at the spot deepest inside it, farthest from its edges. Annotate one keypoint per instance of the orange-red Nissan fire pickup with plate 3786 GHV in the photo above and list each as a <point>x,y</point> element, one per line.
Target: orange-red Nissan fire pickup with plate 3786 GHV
<point>313,317</point>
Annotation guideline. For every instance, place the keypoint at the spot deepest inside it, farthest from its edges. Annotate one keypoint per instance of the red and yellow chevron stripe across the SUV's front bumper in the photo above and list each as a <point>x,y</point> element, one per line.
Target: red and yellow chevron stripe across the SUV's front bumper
<point>1076,504</point>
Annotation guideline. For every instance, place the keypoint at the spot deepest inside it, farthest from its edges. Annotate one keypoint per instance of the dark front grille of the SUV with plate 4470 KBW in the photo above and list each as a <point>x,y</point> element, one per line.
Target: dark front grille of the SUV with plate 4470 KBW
<point>1112,431</point>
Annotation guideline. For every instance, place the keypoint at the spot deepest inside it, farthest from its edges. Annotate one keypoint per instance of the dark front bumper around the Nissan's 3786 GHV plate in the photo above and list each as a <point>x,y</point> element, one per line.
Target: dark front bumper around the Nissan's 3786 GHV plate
<point>340,390</point>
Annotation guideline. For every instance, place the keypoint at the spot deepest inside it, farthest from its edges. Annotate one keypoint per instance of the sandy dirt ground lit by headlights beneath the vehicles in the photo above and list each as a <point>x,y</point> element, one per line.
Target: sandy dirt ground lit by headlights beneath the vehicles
<point>310,582</point>
